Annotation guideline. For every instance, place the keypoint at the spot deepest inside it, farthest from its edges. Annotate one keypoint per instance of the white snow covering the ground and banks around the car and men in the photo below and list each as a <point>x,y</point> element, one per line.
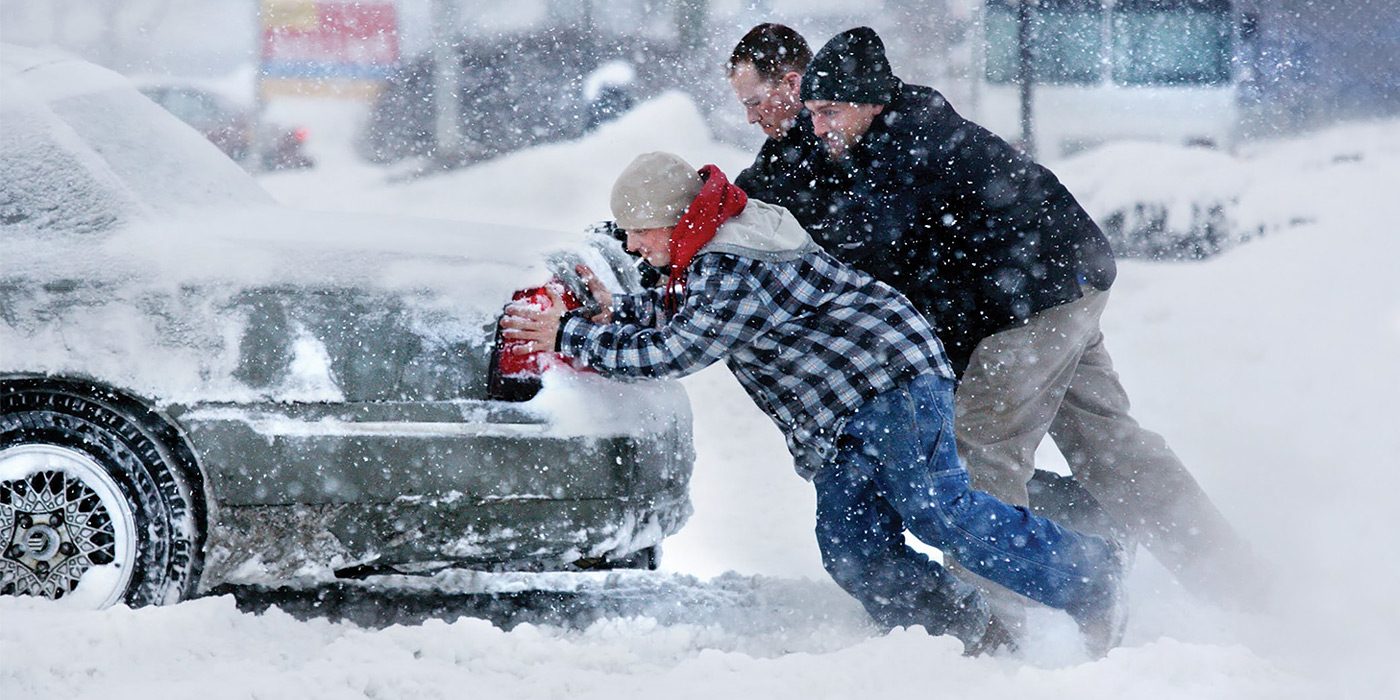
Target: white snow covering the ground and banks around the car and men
<point>1273,370</point>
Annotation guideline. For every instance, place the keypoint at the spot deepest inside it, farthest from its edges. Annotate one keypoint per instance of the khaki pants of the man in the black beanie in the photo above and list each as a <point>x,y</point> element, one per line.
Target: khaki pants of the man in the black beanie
<point>1055,376</point>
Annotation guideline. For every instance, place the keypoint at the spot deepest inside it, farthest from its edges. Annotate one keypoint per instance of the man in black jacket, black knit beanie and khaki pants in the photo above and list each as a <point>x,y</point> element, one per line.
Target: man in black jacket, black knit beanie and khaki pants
<point>1014,275</point>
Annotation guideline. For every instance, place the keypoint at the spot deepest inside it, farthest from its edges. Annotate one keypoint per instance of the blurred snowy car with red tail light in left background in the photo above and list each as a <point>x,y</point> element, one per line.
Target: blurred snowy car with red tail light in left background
<point>233,129</point>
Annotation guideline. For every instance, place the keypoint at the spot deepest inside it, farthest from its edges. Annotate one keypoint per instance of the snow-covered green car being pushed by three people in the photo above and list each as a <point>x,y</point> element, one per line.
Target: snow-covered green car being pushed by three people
<point>199,386</point>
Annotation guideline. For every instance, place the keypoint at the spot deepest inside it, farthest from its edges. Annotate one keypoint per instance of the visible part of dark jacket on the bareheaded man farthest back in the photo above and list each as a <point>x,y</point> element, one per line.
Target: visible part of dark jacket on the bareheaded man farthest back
<point>794,173</point>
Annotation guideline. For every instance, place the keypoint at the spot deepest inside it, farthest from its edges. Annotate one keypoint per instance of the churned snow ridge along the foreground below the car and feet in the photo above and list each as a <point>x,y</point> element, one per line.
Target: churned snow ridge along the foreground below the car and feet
<point>208,649</point>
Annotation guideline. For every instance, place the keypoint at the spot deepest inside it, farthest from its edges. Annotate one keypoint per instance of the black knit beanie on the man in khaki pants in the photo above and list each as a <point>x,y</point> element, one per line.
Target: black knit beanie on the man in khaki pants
<point>852,68</point>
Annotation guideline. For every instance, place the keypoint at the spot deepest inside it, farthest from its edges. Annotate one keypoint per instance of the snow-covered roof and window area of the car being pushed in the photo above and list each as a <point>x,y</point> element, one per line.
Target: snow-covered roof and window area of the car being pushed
<point>85,150</point>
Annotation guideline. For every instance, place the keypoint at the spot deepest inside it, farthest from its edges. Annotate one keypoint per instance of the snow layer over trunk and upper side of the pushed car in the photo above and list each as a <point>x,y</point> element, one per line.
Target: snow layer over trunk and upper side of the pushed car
<point>162,307</point>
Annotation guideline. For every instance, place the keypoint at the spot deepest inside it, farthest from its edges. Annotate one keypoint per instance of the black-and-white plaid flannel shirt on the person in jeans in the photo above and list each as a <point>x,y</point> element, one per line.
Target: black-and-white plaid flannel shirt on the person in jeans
<point>810,339</point>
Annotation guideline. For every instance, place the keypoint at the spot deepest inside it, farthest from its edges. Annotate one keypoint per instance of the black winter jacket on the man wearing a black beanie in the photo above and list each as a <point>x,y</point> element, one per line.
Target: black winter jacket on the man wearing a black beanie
<point>976,234</point>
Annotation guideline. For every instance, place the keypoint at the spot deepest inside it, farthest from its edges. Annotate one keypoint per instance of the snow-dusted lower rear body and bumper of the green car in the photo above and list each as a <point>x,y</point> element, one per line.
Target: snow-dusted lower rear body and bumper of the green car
<point>314,488</point>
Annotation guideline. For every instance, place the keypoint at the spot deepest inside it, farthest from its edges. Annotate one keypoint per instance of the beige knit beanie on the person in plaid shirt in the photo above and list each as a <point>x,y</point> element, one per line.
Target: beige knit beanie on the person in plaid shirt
<point>654,191</point>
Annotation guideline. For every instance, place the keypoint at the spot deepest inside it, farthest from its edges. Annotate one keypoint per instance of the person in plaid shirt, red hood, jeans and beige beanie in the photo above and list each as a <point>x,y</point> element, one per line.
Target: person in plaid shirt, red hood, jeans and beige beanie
<point>860,387</point>
